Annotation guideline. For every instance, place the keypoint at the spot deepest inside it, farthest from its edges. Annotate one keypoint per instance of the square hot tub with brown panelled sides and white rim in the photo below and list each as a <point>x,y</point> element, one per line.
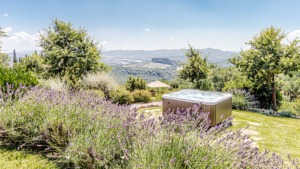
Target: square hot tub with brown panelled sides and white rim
<point>215,103</point>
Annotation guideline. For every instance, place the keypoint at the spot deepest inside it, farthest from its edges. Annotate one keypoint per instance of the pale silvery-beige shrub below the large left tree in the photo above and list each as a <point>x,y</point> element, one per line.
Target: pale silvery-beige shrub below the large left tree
<point>100,81</point>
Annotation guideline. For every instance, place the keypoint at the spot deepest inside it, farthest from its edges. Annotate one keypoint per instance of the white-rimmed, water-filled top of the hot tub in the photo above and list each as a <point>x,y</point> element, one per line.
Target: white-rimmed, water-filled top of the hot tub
<point>197,96</point>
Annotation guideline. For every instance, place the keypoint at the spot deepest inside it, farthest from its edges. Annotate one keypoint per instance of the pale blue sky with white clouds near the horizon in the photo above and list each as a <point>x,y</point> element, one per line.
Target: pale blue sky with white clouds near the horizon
<point>150,25</point>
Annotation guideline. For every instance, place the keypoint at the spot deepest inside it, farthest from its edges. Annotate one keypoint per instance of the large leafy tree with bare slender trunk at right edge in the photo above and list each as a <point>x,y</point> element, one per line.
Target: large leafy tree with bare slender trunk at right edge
<point>268,57</point>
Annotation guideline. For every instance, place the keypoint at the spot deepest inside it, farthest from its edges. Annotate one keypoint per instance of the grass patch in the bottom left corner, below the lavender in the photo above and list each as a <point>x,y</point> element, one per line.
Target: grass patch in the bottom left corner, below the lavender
<point>11,158</point>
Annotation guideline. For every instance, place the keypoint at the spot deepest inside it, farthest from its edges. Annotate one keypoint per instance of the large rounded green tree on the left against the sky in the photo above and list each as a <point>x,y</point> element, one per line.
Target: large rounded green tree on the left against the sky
<point>70,52</point>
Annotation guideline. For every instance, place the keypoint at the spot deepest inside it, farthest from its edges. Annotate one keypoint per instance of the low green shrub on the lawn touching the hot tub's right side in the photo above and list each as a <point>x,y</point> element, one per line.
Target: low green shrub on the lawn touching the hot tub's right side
<point>242,100</point>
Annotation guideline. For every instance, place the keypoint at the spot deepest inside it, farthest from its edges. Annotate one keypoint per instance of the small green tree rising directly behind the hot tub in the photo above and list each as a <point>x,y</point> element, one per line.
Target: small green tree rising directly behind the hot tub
<point>195,68</point>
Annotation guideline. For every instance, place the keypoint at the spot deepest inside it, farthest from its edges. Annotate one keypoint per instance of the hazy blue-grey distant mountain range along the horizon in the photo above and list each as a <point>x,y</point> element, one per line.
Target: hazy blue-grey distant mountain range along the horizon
<point>123,57</point>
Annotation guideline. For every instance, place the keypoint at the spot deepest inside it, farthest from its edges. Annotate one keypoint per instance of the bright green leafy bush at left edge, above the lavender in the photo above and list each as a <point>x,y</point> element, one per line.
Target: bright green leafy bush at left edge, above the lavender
<point>16,77</point>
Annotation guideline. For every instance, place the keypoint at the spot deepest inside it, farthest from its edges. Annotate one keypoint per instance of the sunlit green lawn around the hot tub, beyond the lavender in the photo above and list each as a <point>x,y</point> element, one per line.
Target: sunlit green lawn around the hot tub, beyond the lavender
<point>278,134</point>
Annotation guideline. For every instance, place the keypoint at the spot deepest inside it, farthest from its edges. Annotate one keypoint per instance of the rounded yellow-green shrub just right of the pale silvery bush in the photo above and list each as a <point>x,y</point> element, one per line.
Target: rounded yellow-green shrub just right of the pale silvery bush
<point>121,96</point>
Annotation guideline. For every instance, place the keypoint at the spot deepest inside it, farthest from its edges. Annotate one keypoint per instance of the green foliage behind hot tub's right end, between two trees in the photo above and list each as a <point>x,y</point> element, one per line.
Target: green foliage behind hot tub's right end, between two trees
<point>220,76</point>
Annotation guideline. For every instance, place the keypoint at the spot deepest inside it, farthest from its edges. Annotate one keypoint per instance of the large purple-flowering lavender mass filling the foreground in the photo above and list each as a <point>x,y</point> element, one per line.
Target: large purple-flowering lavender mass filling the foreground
<point>87,131</point>
